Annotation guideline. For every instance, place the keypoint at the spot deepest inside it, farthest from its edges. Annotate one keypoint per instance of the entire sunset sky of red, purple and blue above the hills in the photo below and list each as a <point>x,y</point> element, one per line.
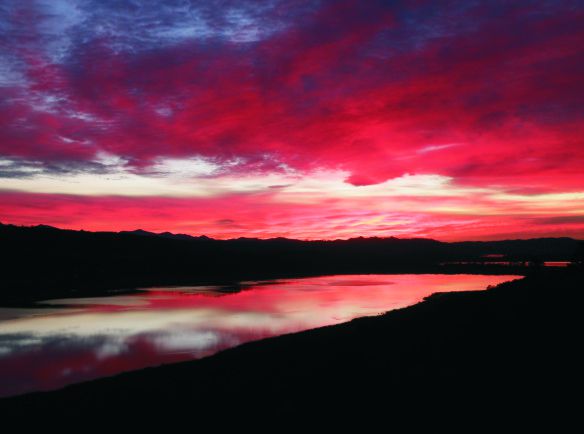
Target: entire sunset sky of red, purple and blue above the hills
<point>453,120</point>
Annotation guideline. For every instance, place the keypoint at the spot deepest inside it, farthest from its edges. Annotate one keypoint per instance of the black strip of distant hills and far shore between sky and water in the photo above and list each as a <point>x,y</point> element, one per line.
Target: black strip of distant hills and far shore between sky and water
<point>43,262</point>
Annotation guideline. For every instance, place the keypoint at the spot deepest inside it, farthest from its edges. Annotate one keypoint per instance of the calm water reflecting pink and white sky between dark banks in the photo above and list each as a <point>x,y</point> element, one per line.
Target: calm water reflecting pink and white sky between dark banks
<point>72,340</point>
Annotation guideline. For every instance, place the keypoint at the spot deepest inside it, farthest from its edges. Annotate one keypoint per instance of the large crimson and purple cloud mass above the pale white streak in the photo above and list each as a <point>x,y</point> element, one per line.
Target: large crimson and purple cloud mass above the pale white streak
<point>488,95</point>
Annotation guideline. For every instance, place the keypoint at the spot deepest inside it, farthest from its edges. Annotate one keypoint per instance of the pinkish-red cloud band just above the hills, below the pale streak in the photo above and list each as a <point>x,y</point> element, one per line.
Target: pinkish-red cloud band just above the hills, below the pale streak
<point>262,216</point>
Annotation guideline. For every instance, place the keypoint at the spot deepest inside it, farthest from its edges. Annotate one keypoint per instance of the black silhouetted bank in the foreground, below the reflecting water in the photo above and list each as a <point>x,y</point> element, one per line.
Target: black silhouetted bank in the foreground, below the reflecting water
<point>456,352</point>
